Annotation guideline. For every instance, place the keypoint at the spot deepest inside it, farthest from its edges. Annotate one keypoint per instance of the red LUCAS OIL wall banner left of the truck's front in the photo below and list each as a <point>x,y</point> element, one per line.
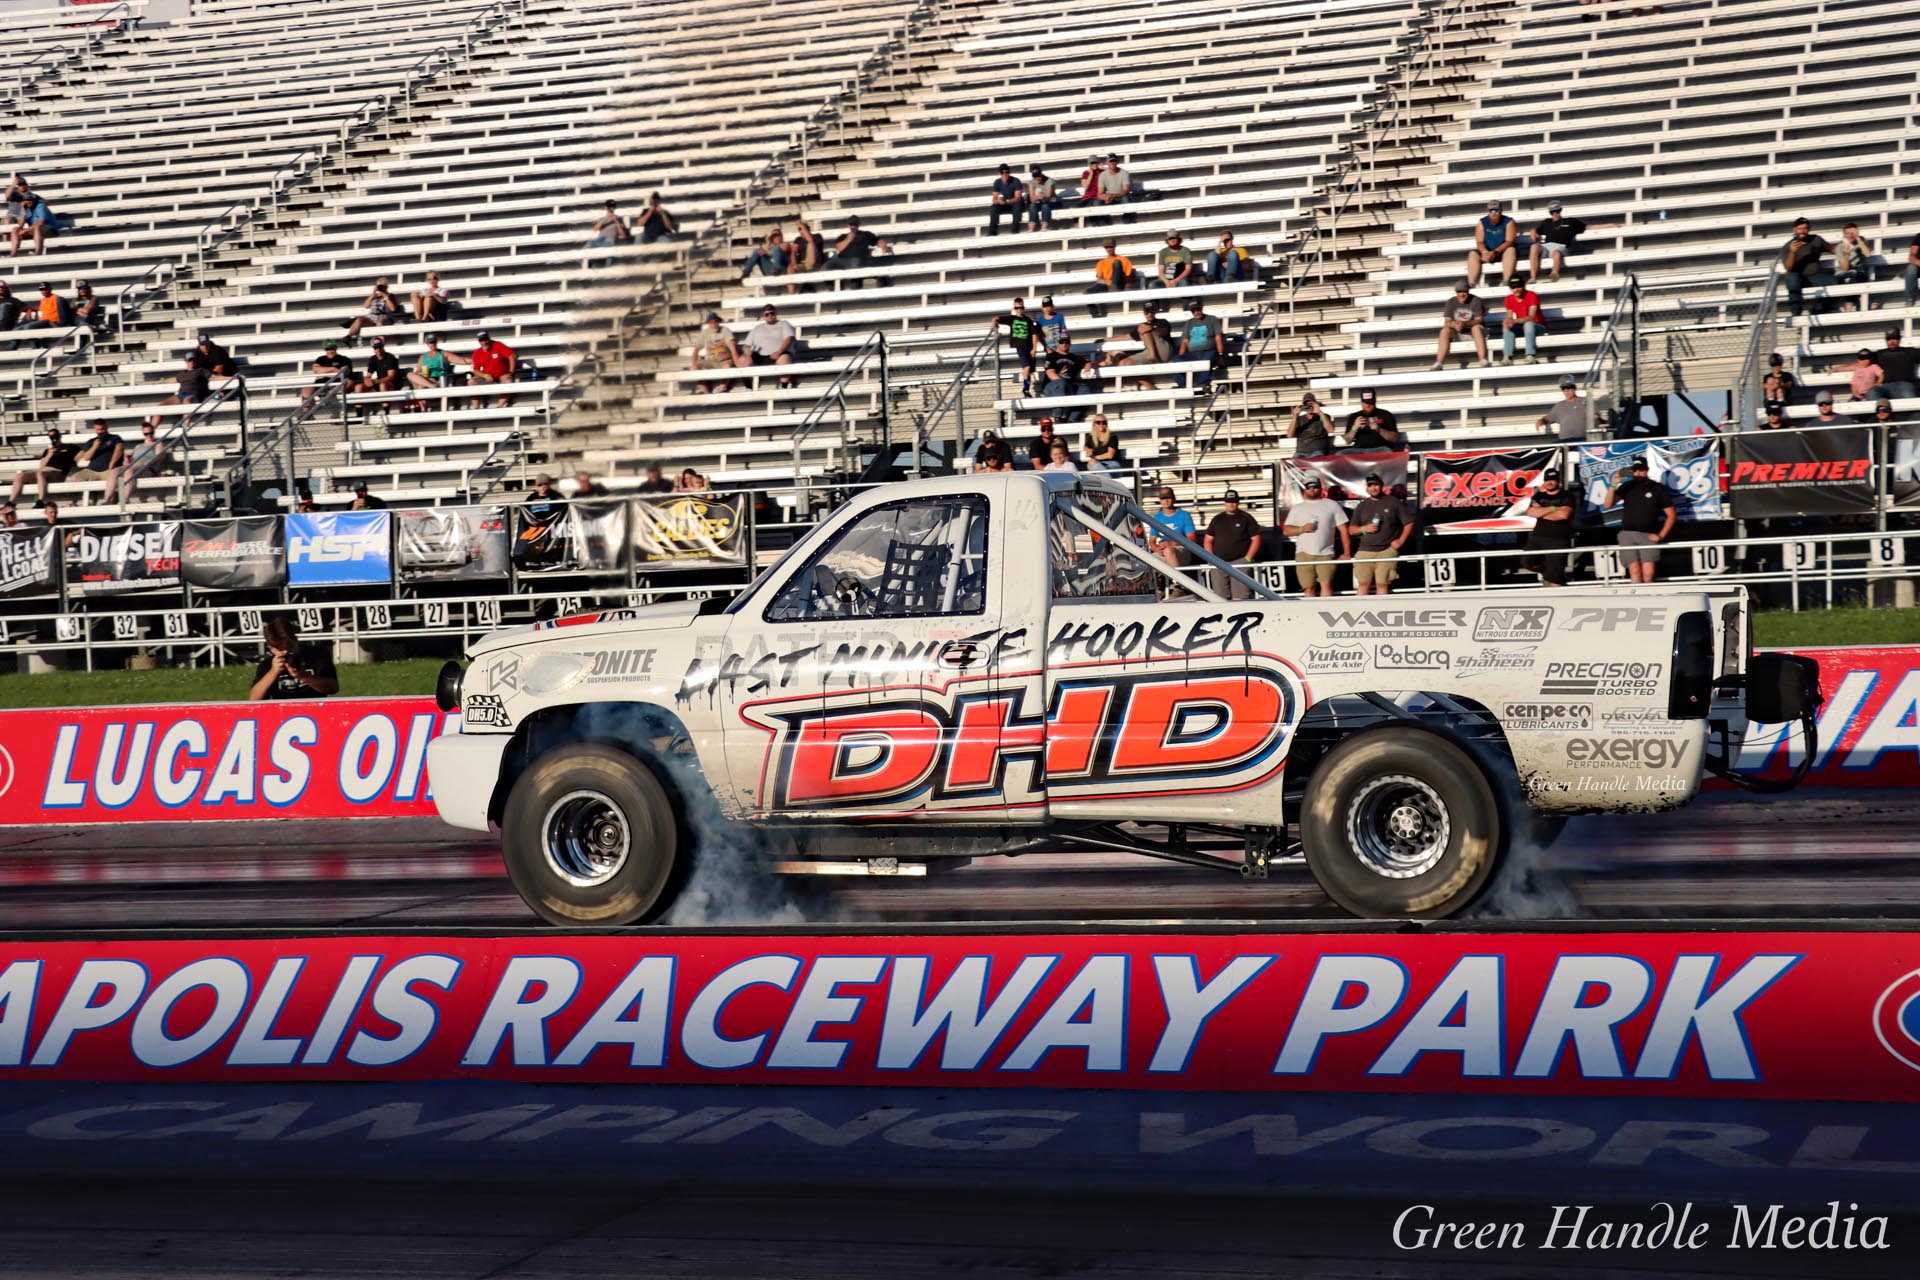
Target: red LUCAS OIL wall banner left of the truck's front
<point>218,761</point>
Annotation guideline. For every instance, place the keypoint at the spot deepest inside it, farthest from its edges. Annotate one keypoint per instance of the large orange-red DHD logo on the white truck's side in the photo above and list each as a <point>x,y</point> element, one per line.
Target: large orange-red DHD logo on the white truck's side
<point>1161,730</point>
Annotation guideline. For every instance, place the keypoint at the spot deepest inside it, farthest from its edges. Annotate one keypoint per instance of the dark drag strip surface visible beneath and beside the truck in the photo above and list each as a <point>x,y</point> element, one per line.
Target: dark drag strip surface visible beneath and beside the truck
<point>1798,857</point>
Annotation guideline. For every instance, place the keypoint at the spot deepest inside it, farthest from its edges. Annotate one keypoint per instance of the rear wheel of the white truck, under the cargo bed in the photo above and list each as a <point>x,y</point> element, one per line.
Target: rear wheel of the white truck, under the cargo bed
<point>1401,824</point>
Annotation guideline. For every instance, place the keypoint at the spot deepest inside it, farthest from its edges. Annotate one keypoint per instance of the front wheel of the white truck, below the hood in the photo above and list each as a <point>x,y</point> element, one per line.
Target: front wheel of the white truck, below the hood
<point>590,838</point>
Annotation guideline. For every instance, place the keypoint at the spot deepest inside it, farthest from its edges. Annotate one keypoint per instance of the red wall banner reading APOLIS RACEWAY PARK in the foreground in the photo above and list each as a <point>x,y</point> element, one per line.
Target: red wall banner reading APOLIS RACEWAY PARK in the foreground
<point>1813,1016</point>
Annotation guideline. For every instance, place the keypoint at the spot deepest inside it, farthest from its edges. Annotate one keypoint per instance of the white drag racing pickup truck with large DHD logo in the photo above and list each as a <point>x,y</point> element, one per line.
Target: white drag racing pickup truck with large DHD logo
<point>1001,665</point>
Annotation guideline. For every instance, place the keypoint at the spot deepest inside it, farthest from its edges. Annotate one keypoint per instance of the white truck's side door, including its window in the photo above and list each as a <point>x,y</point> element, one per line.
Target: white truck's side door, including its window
<point>888,644</point>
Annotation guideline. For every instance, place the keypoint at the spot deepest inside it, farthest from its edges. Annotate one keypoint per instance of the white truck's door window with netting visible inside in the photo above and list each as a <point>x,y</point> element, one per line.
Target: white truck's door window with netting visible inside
<point>924,557</point>
